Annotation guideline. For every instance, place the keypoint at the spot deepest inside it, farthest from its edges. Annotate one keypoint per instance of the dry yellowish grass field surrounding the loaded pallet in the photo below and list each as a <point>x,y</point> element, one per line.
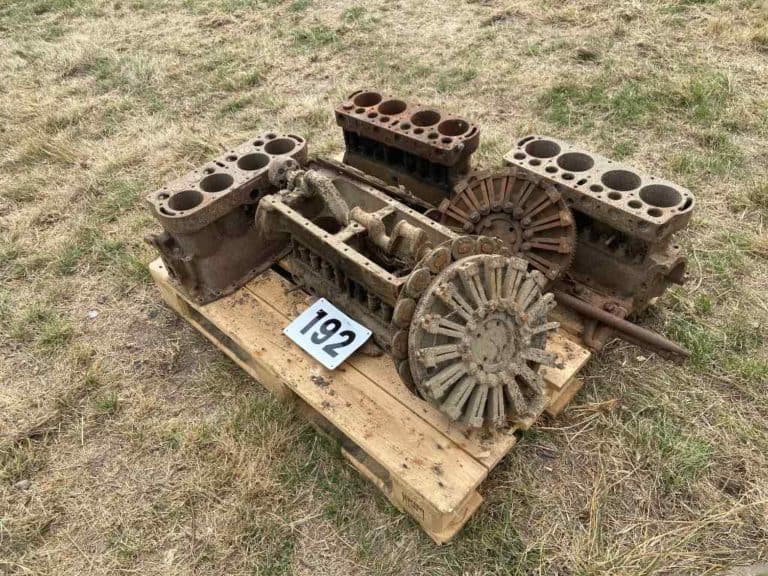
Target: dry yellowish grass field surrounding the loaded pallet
<point>129,445</point>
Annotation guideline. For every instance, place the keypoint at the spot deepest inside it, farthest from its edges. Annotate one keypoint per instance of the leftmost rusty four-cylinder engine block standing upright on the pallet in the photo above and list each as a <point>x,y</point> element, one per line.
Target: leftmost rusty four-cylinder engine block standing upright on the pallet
<point>208,243</point>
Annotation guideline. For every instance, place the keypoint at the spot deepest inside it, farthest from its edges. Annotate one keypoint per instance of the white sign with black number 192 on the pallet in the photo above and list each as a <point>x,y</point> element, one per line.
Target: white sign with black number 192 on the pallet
<point>327,334</point>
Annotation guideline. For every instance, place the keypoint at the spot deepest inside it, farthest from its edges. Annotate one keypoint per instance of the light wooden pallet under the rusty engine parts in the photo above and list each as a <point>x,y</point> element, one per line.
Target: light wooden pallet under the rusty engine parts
<point>425,465</point>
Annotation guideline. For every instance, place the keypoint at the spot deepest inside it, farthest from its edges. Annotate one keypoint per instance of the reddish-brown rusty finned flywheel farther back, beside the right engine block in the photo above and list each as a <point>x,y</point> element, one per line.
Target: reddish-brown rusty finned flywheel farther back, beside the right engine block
<point>529,215</point>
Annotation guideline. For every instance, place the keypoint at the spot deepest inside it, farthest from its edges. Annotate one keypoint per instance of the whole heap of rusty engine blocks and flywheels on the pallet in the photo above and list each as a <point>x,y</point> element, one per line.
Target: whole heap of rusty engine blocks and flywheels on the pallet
<point>455,270</point>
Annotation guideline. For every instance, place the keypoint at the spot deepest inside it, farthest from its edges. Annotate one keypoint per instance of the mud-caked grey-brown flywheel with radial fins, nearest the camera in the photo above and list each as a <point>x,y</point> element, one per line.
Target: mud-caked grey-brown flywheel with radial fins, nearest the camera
<point>477,339</point>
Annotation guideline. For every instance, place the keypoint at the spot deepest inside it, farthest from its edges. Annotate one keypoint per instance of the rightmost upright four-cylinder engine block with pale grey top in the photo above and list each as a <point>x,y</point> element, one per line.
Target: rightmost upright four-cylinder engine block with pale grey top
<point>625,219</point>
